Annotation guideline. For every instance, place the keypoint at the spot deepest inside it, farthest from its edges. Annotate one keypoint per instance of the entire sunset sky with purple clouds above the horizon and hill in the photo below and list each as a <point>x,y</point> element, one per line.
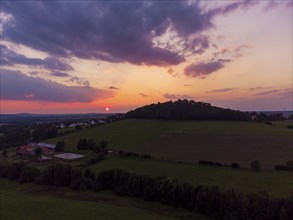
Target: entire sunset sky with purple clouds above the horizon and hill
<point>86,56</point>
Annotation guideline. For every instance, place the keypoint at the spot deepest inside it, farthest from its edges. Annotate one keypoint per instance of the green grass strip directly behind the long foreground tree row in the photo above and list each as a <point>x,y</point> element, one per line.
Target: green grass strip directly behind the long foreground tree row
<point>276,183</point>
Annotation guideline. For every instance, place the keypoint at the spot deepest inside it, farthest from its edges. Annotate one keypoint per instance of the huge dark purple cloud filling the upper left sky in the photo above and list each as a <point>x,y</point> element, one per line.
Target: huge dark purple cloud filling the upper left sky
<point>114,31</point>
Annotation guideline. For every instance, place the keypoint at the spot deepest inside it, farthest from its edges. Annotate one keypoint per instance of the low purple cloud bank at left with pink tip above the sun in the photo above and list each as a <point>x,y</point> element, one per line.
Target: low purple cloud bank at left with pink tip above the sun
<point>17,86</point>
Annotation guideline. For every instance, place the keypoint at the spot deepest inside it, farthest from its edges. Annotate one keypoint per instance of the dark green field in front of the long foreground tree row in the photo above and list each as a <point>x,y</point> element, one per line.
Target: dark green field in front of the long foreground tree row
<point>27,202</point>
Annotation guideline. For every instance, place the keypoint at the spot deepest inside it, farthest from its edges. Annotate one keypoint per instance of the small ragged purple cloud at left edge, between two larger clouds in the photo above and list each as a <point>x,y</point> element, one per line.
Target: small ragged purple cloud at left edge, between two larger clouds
<point>10,58</point>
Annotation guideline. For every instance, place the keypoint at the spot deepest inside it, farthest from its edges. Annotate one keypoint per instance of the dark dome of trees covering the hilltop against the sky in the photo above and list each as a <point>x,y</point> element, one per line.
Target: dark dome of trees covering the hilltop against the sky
<point>186,110</point>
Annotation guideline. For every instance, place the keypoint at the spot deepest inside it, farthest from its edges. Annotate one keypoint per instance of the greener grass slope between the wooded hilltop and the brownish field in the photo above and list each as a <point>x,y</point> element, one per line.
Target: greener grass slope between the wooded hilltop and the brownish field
<point>130,133</point>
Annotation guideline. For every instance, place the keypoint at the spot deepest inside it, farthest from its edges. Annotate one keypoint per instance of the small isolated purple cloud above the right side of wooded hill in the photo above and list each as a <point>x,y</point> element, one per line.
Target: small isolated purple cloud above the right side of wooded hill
<point>201,70</point>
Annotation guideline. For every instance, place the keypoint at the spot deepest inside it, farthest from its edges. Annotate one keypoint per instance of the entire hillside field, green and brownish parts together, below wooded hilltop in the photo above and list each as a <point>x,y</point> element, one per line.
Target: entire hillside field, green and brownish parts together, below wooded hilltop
<point>222,141</point>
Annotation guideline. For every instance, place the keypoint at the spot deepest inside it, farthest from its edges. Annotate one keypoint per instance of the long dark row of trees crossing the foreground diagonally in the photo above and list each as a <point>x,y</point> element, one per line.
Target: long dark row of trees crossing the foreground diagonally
<point>207,200</point>
